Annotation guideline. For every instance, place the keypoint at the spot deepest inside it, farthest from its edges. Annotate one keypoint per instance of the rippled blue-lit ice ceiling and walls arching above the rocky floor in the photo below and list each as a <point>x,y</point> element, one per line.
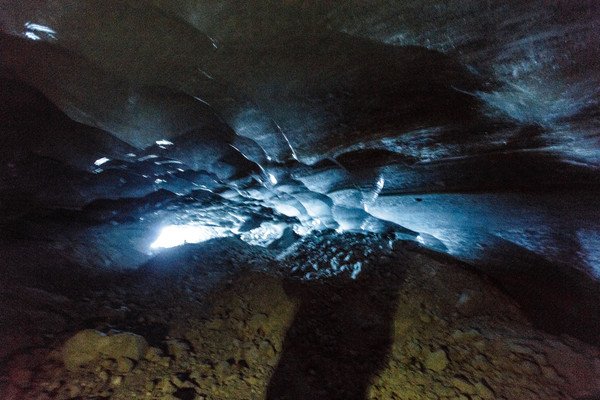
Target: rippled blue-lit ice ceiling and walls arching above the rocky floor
<point>469,127</point>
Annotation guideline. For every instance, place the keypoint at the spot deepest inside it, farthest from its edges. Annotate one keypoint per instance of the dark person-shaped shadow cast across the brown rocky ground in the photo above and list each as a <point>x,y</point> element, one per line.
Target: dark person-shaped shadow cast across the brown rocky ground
<point>340,336</point>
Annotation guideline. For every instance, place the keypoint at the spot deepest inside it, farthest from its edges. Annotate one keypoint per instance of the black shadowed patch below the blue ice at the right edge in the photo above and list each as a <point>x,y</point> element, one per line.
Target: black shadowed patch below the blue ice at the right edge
<point>557,298</point>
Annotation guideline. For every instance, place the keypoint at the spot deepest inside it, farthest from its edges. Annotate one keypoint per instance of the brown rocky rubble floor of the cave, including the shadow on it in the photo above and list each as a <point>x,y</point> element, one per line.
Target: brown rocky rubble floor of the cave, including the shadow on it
<point>225,320</point>
